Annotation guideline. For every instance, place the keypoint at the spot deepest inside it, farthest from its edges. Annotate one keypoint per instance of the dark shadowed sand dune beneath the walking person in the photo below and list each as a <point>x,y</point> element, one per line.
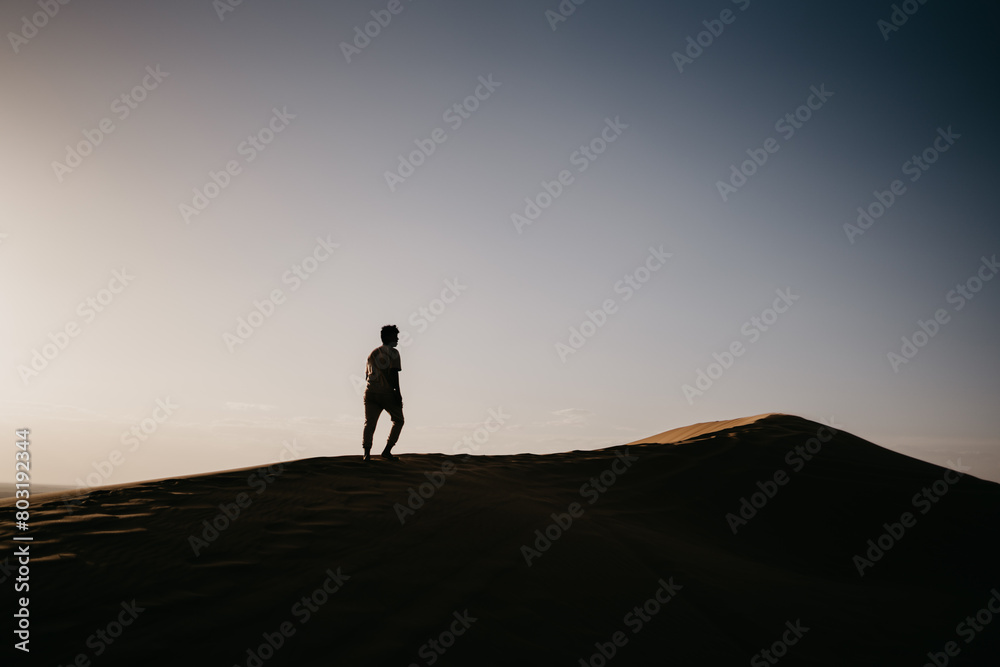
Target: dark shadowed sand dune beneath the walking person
<point>458,565</point>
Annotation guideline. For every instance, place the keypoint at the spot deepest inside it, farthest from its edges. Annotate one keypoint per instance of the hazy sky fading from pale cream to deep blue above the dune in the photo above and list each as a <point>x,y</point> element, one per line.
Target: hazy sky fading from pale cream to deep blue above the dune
<point>287,390</point>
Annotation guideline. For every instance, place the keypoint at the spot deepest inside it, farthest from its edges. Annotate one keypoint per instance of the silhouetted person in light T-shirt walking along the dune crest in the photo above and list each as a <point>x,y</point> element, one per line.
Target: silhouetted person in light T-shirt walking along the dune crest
<point>382,392</point>
